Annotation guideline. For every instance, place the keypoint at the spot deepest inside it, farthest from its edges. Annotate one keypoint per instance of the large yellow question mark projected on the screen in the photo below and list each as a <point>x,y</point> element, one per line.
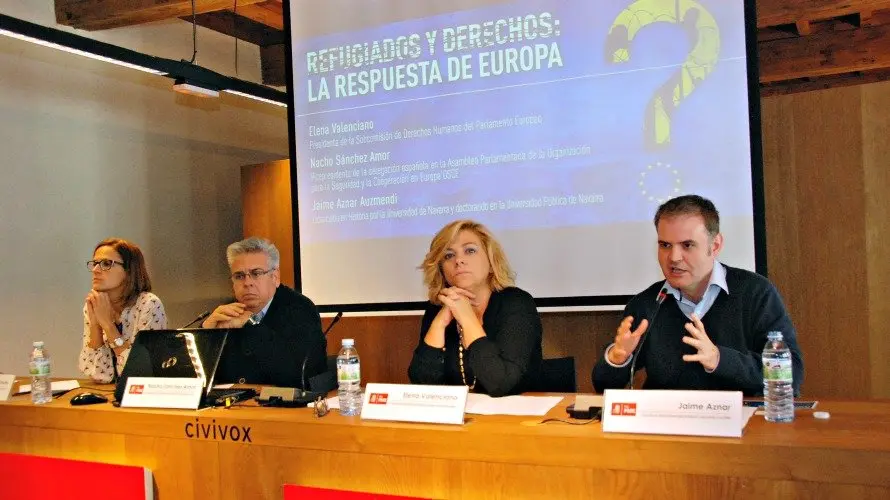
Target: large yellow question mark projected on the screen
<point>704,36</point>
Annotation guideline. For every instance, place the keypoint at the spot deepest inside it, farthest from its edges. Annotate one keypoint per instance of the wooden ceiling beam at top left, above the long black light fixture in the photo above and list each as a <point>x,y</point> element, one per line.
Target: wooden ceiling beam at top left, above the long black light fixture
<point>93,15</point>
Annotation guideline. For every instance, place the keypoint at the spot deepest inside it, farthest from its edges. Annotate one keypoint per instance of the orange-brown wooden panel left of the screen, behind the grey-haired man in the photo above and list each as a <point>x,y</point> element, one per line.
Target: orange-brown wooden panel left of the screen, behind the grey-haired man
<point>266,209</point>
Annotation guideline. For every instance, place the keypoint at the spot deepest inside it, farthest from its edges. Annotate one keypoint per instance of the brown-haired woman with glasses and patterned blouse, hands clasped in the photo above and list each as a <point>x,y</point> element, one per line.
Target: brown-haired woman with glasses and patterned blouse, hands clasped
<point>120,303</point>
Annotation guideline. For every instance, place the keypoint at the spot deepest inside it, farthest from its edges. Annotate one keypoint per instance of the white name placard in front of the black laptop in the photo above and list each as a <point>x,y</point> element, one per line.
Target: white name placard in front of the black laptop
<point>154,392</point>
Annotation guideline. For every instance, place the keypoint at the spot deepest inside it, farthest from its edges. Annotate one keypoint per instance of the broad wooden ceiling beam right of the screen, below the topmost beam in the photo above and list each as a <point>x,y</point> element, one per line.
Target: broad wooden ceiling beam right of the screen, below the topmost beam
<point>829,53</point>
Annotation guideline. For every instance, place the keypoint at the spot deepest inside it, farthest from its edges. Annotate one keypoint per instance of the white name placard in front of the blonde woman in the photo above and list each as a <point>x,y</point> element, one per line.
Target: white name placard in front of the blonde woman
<point>435,404</point>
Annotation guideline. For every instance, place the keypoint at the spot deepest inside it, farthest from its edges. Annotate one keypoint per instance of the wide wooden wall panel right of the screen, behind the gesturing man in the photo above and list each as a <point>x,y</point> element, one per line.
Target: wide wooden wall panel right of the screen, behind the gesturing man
<point>816,232</point>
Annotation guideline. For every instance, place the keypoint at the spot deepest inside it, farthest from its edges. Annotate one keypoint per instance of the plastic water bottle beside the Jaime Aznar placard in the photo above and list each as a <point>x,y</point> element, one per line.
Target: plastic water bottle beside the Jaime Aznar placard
<point>778,392</point>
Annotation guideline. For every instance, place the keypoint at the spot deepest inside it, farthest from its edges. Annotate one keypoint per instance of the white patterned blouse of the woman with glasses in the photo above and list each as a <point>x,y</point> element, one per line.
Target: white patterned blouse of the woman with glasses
<point>146,314</point>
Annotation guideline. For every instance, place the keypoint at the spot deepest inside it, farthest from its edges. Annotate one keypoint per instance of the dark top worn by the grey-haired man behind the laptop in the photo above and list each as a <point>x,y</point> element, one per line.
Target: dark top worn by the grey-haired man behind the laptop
<point>272,352</point>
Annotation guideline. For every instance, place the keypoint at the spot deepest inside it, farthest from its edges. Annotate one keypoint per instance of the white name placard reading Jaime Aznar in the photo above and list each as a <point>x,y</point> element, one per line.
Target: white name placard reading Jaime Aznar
<point>689,413</point>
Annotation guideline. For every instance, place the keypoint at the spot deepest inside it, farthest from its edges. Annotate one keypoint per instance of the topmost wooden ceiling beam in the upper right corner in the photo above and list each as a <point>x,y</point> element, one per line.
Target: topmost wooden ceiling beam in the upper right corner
<point>778,12</point>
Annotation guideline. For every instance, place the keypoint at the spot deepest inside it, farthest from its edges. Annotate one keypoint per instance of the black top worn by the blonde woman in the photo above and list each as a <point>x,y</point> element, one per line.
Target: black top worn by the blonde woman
<point>506,361</point>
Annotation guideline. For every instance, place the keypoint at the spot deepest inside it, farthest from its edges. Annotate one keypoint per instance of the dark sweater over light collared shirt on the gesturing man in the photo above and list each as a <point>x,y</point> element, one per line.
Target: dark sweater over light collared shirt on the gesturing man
<point>737,324</point>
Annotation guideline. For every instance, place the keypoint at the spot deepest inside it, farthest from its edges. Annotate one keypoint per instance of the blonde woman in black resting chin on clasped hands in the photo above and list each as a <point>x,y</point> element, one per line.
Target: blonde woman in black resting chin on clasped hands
<point>479,330</point>
